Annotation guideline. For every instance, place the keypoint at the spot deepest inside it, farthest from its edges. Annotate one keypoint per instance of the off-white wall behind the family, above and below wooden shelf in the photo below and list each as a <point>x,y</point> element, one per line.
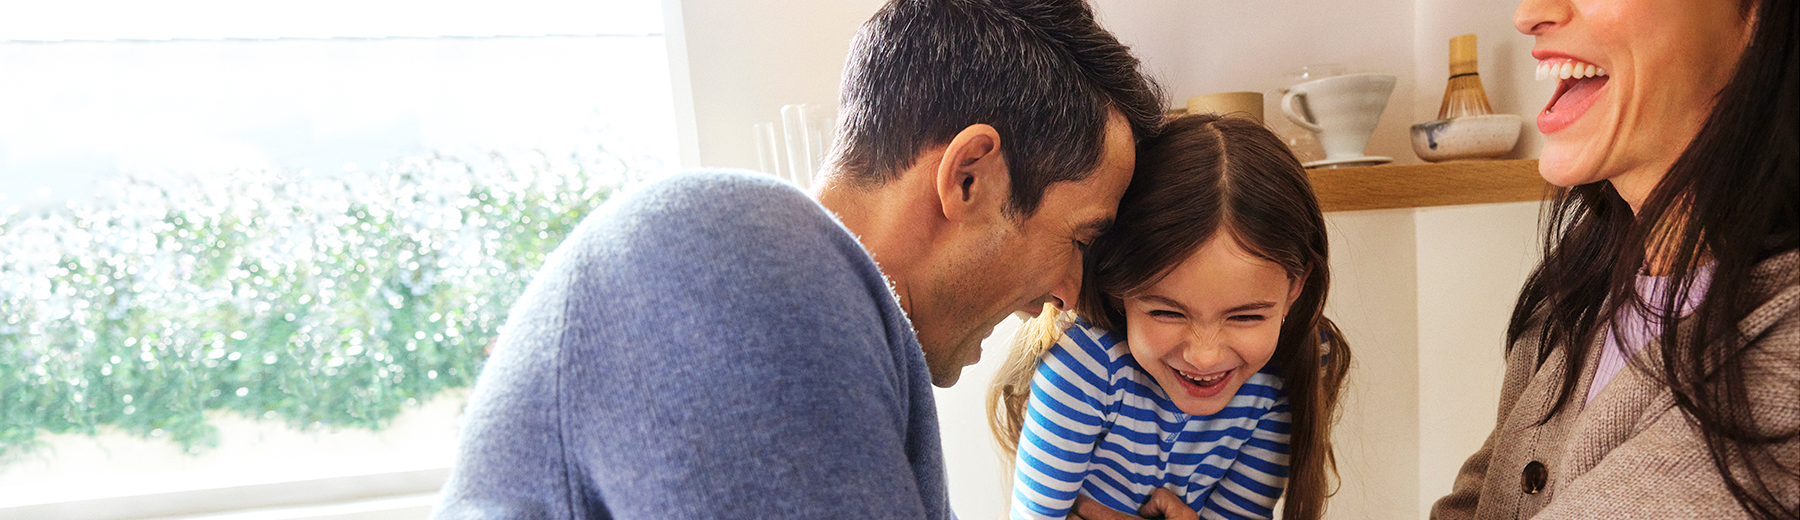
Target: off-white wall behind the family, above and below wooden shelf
<point>1421,294</point>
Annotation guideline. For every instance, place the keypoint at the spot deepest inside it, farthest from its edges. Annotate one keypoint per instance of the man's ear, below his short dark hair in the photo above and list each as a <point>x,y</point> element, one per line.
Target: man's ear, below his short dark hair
<point>973,177</point>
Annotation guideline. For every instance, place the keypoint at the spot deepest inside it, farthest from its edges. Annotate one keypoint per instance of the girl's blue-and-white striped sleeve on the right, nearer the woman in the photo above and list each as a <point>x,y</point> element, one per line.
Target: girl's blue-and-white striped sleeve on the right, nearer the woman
<point>1255,481</point>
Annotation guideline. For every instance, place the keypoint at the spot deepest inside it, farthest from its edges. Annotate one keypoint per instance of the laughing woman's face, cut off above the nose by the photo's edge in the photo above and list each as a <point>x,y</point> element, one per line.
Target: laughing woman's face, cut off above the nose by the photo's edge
<point>1655,71</point>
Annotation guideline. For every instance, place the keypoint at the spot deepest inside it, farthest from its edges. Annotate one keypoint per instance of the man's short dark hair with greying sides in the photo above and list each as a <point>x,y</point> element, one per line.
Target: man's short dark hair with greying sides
<point>1041,73</point>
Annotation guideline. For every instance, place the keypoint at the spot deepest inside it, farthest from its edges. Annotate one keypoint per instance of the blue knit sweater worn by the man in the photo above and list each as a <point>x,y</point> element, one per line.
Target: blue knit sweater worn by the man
<point>708,346</point>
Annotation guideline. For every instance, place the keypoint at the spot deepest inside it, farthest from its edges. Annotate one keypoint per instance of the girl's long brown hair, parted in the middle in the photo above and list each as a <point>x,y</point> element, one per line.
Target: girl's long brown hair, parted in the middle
<point>1201,177</point>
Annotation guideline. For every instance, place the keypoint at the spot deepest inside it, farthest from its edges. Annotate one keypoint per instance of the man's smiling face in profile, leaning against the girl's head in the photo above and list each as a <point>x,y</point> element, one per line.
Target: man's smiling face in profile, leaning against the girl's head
<point>1020,265</point>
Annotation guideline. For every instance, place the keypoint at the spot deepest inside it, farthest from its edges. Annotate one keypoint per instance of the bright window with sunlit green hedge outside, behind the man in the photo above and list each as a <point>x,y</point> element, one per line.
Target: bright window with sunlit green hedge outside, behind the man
<point>271,246</point>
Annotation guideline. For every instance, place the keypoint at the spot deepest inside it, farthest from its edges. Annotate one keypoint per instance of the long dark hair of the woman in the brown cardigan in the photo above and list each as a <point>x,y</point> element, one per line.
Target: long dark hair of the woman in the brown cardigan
<point>1732,199</point>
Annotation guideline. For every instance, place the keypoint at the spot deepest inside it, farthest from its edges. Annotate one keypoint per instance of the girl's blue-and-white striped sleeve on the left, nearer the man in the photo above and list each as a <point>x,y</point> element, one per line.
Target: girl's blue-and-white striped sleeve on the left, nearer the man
<point>1072,397</point>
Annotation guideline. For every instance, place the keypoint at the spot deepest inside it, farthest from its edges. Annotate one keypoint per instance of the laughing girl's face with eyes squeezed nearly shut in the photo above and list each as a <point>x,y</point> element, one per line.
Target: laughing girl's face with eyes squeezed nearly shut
<point>1210,325</point>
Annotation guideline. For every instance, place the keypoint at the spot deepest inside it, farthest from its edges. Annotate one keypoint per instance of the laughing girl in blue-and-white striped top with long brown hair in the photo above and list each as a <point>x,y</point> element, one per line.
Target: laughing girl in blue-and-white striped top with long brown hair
<point>1201,363</point>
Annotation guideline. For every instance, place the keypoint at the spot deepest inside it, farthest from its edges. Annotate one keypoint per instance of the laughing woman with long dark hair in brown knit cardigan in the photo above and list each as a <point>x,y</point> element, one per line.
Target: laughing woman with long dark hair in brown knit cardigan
<point>1653,364</point>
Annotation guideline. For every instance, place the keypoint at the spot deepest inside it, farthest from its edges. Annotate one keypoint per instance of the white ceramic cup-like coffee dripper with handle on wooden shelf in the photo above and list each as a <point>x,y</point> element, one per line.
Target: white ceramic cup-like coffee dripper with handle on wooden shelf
<point>1342,111</point>
